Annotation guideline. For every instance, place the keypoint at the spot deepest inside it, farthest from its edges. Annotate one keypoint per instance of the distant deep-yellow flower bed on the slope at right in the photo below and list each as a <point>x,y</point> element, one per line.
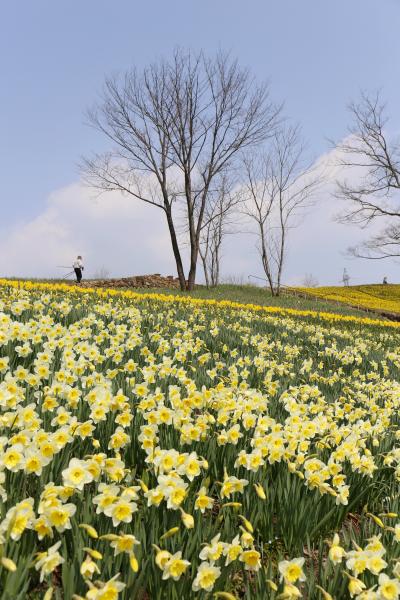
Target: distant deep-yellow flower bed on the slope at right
<point>385,298</point>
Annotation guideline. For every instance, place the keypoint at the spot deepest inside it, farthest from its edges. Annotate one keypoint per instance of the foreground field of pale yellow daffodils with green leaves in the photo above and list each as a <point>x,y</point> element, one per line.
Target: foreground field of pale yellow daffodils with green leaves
<point>166,448</point>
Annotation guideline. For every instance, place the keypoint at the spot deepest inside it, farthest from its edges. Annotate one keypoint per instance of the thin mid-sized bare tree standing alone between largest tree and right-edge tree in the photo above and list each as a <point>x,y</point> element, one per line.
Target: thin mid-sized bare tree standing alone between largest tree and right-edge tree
<point>279,188</point>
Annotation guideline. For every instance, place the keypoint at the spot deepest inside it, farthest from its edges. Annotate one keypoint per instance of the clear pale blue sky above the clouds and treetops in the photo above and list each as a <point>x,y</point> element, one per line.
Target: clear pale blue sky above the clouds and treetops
<point>317,54</point>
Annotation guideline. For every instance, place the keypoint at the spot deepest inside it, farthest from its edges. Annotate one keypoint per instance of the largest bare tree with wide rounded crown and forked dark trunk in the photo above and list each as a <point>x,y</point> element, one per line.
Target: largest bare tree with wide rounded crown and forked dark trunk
<point>174,128</point>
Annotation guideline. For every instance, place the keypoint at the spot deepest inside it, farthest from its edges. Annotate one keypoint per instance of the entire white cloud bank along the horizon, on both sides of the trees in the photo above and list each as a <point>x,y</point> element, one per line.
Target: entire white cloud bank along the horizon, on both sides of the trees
<point>128,237</point>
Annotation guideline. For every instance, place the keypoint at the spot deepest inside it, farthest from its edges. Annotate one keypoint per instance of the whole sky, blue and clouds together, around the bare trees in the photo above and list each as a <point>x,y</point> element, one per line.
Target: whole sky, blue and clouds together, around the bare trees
<point>316,55</point>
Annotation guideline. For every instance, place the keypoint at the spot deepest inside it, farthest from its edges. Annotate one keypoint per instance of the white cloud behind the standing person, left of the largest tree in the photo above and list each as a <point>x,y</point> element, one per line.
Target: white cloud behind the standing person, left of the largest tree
<point>112,231</point>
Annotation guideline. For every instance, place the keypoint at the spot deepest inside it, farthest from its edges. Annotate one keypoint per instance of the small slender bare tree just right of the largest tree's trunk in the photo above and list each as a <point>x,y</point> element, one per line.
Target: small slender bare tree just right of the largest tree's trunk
<point>219,217</point>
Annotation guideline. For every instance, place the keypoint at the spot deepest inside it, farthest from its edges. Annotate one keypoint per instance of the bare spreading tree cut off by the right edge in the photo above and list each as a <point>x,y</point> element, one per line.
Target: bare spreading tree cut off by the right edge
<point>376,195</point>
